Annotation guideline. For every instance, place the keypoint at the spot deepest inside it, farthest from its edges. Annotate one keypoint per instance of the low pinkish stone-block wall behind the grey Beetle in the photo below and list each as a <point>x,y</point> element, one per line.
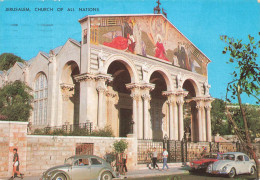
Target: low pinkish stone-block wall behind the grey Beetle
<point>37,153</point>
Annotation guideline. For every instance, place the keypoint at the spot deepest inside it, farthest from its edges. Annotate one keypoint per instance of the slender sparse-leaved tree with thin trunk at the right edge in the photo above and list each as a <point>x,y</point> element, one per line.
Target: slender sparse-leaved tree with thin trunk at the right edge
<point>246,79</point>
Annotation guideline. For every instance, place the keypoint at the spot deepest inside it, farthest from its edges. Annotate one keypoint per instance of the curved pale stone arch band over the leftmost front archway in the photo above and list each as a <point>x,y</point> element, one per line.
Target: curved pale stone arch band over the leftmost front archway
<point>127,62</point>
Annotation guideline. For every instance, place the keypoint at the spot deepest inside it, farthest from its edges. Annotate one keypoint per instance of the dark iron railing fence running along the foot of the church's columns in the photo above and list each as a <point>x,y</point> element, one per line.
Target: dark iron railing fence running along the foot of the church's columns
<point>182,151</point>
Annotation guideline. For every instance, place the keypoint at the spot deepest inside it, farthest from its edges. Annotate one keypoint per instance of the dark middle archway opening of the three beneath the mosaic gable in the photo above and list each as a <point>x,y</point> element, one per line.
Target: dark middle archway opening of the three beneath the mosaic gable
<point>158,106</point>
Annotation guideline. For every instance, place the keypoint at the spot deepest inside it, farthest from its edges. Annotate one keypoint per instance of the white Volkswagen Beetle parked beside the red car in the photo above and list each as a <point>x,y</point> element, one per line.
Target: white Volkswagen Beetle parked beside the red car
<point>231,164</point>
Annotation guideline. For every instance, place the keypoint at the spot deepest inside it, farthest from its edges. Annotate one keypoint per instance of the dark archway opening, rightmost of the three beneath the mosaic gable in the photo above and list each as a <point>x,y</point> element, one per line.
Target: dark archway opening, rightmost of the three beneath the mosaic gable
<point>190,112</point>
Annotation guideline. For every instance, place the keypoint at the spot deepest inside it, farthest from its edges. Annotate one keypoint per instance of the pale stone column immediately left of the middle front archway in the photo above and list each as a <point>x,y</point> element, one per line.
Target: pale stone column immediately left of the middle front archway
<point>146,117</point>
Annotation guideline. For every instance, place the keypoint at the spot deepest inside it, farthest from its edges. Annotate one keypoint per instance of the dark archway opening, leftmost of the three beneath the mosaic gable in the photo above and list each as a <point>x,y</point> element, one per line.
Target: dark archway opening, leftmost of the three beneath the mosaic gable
<point>123,106</point>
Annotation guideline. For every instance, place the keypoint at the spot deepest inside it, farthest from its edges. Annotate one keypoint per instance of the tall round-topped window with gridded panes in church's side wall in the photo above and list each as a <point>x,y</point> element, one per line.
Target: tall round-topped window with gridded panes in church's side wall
<point>40,99</point>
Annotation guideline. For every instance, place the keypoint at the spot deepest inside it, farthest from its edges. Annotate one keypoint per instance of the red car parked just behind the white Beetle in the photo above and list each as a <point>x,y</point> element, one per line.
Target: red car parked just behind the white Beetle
<point>202,164</point>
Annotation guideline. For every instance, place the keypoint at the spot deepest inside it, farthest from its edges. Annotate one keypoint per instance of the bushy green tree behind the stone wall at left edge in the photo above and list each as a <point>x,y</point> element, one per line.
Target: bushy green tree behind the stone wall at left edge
<point>15,101</point>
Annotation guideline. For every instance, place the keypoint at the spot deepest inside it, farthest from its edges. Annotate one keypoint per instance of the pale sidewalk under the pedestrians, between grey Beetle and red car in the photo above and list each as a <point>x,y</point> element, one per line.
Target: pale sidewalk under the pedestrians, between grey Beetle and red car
<point>145,172</point>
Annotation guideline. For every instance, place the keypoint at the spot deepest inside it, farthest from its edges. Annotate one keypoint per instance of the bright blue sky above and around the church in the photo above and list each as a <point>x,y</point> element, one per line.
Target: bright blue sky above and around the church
<point>201,21</point>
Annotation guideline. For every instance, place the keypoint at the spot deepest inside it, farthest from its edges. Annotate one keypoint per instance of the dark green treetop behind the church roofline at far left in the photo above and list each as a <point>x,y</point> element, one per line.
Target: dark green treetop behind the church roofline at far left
<point>7,60</point>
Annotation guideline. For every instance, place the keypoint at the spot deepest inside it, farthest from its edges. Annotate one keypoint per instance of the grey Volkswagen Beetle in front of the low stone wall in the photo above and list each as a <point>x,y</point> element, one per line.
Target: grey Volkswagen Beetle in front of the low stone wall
<point>82,167</point>
